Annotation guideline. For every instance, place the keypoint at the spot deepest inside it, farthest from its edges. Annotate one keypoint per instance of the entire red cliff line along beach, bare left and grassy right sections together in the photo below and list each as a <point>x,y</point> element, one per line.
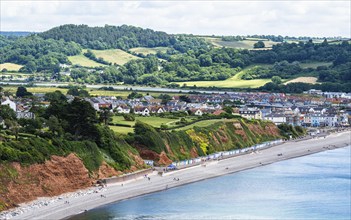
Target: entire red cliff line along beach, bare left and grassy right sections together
<point>23,183</point>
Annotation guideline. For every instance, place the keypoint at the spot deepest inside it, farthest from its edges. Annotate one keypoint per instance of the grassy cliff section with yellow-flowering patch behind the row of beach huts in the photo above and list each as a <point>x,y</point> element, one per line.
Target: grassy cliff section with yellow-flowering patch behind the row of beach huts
<point>165,147</point>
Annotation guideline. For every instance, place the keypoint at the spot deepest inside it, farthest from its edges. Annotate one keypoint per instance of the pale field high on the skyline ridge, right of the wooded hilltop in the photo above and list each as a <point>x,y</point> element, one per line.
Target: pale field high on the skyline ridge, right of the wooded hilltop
<point>244,44</point>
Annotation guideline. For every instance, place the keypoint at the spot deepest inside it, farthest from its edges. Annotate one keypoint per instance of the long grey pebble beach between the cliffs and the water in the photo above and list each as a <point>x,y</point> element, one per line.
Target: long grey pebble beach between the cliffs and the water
<point>70,204</point>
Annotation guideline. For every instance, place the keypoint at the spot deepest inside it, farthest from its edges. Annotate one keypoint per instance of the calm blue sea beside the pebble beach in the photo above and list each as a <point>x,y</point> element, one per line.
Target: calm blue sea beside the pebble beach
<point>316,186</point>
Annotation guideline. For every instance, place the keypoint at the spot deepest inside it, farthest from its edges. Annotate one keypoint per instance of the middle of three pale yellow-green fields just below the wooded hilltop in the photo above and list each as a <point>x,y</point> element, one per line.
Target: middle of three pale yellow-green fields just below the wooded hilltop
<point>117,56</point>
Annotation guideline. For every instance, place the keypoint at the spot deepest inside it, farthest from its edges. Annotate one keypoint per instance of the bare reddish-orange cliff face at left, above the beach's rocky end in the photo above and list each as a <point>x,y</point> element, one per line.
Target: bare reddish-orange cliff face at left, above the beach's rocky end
<point>54,177</point>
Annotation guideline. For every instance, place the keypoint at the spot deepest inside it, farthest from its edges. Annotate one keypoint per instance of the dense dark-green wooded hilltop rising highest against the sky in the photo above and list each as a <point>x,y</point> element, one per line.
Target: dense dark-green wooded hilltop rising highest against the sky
<point>109,37</point>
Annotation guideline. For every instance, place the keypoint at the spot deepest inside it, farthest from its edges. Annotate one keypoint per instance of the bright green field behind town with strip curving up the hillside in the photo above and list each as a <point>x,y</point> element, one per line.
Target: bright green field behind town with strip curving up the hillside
<point>233,82</point>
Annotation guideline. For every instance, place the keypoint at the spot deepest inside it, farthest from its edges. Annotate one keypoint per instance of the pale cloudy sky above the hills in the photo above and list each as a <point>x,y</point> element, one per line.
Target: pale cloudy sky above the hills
<point>316,18</point>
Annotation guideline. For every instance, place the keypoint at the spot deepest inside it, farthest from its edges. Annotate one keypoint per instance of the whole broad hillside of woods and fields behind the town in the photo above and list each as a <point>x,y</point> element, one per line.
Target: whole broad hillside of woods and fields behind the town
<point>112,51</point>
